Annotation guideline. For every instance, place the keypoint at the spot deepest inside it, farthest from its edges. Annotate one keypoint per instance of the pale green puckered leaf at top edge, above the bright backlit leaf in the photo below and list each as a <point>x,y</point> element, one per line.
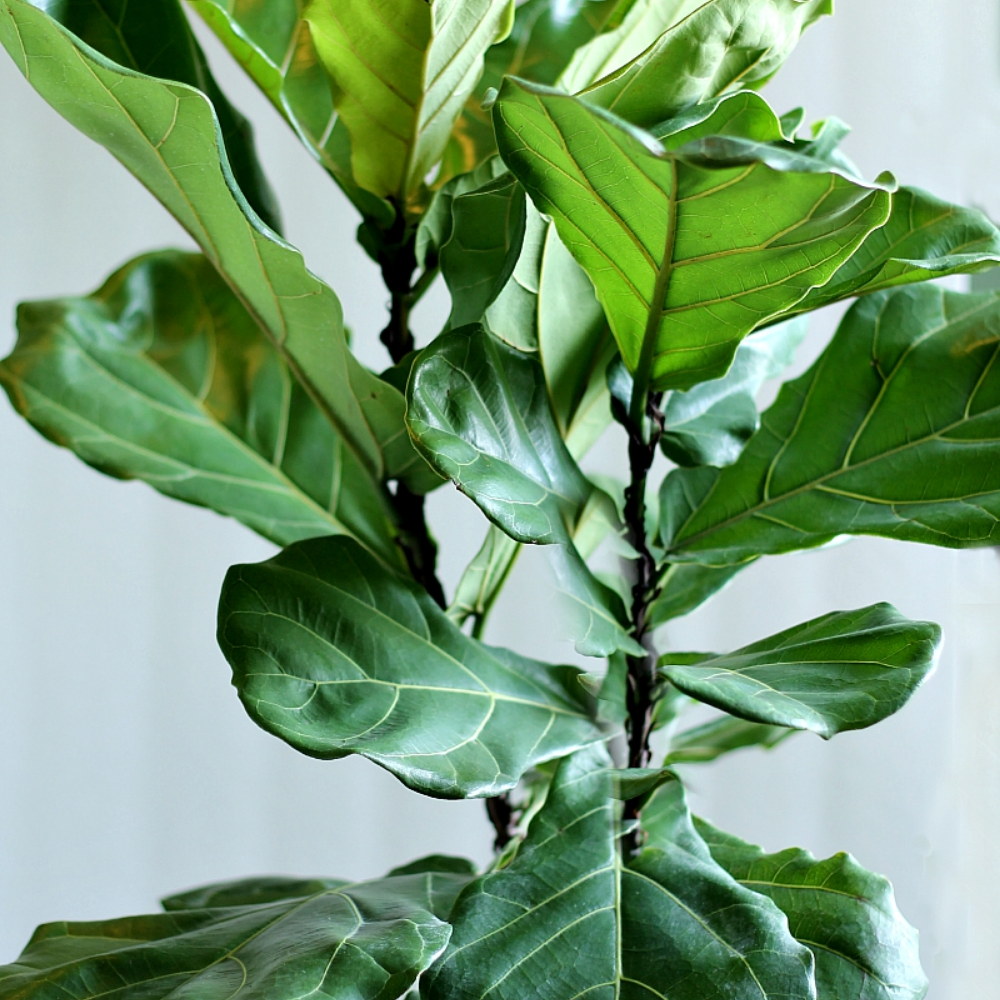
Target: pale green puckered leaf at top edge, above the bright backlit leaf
<point>667,56</point>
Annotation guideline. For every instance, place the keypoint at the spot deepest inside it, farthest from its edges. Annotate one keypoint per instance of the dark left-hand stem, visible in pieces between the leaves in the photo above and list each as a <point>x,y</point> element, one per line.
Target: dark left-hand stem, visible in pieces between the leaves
<point>398,260</point>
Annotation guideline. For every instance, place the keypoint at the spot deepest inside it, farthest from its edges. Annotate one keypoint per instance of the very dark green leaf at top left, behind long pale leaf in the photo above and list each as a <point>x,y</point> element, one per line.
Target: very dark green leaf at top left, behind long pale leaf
<point>156,39</point>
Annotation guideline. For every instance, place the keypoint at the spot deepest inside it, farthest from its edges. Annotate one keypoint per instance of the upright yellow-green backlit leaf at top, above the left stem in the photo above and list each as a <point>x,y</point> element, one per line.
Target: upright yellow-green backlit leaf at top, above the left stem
<point>401,72</point>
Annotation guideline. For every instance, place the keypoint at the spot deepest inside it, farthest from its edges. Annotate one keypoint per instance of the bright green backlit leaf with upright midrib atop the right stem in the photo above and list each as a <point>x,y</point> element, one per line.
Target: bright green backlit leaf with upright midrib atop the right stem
<point>689,249</point>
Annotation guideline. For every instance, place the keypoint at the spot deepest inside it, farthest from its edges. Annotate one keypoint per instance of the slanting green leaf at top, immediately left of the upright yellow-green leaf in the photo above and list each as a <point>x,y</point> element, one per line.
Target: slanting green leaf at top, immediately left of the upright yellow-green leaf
<point>273,43</point>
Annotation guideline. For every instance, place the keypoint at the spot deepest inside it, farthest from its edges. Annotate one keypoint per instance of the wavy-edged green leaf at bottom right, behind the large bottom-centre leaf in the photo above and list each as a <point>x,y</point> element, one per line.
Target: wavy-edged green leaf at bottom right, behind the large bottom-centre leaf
<point>846,915</point>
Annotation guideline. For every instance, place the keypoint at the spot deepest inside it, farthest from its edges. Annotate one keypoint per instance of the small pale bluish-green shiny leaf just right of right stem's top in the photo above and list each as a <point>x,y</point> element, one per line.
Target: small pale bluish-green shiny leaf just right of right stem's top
<point>711,423</point>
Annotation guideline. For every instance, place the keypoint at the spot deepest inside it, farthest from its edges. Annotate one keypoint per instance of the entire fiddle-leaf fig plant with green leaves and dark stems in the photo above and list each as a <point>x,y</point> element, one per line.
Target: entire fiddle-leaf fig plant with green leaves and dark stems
<point>629,233</point>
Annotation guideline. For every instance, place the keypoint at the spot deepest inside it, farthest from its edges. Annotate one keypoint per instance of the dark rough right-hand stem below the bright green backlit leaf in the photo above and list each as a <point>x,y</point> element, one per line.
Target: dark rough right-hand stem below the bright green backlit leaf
<point>641,683</point>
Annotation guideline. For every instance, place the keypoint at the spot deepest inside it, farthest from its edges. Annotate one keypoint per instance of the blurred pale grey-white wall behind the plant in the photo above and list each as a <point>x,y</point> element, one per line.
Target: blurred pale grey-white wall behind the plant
<point>127,767</point>
